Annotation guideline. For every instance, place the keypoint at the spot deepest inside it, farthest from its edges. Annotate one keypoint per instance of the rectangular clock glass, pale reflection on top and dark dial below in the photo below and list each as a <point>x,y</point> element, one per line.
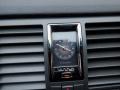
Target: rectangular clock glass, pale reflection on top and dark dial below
<point>64,48</point>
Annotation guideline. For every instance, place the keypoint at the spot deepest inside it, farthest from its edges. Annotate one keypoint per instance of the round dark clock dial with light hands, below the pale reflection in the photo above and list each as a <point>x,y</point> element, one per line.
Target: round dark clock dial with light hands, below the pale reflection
<point>64,49</point>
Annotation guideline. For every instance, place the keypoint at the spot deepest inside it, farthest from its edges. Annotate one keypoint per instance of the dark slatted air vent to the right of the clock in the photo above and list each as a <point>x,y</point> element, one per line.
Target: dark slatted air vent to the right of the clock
<point>103,47</point>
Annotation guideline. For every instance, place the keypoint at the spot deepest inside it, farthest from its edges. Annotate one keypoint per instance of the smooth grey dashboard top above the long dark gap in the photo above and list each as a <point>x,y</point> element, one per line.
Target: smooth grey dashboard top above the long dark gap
<point>22,7</point>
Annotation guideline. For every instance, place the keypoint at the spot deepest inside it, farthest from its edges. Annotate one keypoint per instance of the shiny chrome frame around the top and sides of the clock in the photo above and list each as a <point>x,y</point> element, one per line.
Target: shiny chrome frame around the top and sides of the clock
<point>79,43</point>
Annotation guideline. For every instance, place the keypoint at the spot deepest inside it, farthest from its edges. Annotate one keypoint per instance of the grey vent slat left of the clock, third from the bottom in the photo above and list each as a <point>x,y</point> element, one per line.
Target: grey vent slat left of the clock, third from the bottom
<point>10,69</point>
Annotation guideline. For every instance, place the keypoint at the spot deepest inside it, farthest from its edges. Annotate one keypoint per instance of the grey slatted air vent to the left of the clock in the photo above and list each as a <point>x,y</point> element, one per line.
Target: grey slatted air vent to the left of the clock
<point>22,58</point>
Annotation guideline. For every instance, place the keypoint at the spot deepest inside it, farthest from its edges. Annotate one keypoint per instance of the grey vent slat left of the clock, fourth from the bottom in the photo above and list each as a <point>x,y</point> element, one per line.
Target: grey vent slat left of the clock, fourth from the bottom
<point>19,59</point>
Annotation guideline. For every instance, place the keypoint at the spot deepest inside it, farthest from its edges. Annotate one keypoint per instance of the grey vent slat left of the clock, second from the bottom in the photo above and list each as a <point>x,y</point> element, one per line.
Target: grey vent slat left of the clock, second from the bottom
<point>22,78</point>
